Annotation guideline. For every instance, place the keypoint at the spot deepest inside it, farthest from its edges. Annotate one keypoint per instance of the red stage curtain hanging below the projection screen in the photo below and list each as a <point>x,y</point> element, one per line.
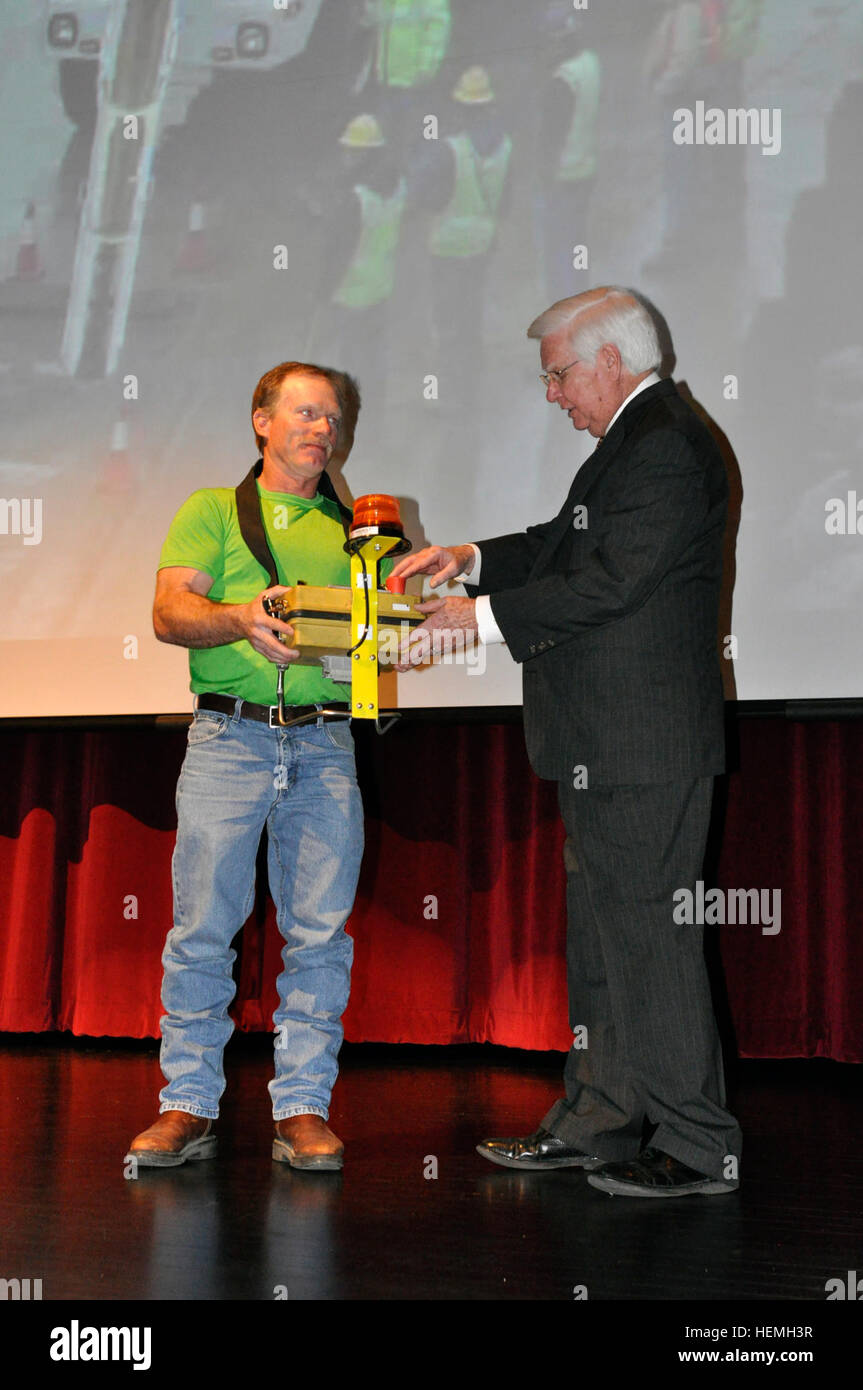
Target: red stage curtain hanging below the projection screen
<point>459,924</point>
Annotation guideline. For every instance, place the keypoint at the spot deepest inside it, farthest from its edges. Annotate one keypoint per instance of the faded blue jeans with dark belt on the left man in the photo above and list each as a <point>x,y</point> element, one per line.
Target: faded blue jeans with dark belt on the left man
<point>240,776</point>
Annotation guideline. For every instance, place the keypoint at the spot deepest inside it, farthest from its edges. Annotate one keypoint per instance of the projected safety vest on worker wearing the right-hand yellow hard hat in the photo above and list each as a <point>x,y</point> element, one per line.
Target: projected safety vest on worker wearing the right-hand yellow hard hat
<point>468,226</point>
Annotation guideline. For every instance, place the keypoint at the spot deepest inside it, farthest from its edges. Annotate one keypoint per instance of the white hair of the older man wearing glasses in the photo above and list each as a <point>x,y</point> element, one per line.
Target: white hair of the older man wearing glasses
<point>623,320</point>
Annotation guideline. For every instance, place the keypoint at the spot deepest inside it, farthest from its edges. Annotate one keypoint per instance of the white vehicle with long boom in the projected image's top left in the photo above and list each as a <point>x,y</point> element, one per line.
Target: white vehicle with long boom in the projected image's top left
<point>154,58</point>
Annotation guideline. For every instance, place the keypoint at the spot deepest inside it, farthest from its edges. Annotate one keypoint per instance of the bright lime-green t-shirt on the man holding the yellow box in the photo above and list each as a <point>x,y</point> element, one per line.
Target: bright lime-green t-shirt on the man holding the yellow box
<point>306,539</point>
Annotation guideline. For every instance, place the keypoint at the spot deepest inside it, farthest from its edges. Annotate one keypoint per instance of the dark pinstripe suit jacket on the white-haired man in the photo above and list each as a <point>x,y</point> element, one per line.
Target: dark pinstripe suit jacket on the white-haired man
<point>616,625</point>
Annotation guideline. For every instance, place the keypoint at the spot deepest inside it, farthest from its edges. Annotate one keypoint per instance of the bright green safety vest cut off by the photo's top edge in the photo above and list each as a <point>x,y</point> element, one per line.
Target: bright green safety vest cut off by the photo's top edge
<point>413,37</point>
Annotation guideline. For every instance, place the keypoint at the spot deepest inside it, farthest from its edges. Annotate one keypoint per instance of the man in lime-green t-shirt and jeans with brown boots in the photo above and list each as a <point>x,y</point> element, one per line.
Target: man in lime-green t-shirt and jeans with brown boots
<point>244,771</point>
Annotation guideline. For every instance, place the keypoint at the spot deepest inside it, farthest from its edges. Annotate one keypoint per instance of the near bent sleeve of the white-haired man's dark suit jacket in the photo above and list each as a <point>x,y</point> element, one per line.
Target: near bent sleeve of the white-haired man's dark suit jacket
<point>657,507</point>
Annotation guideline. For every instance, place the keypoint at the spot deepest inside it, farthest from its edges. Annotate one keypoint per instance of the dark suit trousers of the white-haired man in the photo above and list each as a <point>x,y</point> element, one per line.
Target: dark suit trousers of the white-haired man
<point>637,979</point>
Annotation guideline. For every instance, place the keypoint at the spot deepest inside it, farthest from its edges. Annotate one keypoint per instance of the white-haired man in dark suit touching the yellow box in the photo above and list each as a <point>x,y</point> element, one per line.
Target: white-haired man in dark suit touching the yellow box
<point>612,610</point>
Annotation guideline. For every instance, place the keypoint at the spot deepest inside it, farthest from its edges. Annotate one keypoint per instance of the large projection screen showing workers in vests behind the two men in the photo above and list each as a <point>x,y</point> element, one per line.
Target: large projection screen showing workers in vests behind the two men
<point>184,190</point>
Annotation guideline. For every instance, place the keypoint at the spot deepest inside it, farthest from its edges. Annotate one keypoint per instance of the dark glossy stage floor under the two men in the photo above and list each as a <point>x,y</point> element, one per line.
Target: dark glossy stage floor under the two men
<point>244,1228</point>
